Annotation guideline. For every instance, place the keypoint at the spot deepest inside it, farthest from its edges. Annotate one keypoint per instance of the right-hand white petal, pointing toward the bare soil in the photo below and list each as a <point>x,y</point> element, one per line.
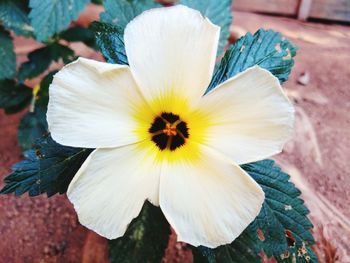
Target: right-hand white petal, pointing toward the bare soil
<point>251,116</point>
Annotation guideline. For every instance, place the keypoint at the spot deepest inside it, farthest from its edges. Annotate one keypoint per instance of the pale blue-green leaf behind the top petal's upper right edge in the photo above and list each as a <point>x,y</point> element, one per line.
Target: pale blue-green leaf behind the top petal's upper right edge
<point>218,12</point>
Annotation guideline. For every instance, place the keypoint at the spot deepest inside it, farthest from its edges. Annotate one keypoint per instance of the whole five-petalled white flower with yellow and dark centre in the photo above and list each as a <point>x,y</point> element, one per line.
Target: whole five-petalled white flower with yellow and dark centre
<point>158,138</point>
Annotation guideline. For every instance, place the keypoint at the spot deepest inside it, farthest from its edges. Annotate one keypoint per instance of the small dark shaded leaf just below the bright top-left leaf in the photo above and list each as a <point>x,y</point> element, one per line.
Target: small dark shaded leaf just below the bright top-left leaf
<point>79,34</point>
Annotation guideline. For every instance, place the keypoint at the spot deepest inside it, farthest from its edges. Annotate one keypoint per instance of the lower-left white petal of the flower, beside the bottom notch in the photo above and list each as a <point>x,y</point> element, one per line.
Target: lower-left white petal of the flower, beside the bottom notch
<point>110,188</point>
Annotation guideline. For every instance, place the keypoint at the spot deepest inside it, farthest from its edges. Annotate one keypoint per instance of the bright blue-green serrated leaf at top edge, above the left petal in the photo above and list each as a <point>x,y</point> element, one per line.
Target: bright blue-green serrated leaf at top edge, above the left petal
<point>51,16</point>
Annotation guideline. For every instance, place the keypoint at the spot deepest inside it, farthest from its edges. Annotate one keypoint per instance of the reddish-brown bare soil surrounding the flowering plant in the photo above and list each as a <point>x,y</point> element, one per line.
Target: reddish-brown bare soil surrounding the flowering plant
<point>46,230</point>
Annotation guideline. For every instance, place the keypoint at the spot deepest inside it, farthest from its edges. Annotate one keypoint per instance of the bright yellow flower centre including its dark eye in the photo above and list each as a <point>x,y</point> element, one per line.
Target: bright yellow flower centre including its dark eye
<point>169,129</point>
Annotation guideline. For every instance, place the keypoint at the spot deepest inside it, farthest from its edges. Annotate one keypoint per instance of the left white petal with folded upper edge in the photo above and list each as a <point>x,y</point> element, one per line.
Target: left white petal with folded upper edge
<point>91,105</point>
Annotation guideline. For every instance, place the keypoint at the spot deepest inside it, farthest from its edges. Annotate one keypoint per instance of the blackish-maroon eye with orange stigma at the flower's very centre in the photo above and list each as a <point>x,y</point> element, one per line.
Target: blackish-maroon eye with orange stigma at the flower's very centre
<point>168,131</point>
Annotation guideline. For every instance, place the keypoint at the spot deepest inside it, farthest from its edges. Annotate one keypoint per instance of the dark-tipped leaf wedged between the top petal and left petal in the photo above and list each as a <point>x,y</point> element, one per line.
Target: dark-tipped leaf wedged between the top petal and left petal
<point>110,40</point>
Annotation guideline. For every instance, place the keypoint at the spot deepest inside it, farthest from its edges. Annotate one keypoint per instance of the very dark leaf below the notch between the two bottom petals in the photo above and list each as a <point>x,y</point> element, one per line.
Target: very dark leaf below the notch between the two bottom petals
<point>145,239</point>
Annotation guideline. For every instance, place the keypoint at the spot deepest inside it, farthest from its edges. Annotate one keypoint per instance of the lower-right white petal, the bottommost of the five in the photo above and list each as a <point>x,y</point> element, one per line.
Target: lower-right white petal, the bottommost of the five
<point>210,201</point>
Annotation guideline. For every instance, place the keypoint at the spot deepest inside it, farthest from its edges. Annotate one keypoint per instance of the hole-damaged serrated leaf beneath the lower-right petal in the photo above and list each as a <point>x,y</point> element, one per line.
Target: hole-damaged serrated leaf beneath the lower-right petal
<point>283,218</point>
